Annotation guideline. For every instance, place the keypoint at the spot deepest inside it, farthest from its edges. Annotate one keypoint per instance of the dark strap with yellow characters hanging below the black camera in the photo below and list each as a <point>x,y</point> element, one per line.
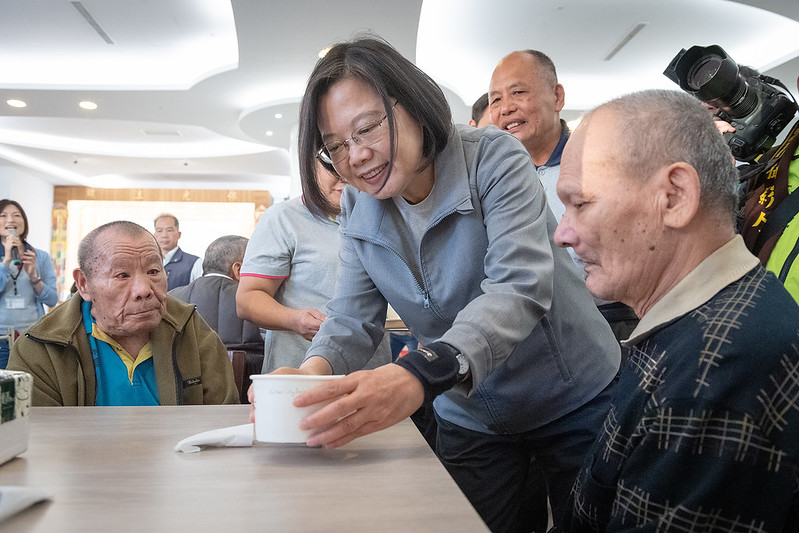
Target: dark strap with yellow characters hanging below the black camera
<point>770,208</point>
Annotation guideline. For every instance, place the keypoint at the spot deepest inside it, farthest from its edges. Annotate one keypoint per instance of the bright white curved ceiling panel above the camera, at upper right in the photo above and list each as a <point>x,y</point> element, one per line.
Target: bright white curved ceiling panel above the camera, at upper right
<point>601,49</point>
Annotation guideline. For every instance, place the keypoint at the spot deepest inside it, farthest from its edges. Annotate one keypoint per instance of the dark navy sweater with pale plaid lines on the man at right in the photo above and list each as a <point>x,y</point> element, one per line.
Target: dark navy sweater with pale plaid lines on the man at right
<point>703,431</point>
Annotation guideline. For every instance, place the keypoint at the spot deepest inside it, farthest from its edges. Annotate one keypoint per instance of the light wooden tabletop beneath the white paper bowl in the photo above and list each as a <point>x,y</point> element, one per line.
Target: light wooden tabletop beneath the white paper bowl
<point>114,469</point>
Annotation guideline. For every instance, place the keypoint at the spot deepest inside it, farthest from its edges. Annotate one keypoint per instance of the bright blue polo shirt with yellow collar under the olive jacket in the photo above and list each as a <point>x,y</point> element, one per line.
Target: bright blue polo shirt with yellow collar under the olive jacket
<point>121,378</point>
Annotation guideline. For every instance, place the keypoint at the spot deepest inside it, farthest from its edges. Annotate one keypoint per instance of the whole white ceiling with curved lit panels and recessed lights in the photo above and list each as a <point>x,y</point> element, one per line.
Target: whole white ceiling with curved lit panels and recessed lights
<point>188,89</point>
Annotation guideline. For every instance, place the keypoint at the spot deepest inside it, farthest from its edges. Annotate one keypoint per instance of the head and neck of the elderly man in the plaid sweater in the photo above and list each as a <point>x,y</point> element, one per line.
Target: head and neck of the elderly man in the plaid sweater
<point>649,189</point>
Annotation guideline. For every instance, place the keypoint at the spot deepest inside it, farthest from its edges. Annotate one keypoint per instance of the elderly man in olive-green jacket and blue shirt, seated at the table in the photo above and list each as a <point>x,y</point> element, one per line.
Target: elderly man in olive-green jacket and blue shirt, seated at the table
<point>121,340</point>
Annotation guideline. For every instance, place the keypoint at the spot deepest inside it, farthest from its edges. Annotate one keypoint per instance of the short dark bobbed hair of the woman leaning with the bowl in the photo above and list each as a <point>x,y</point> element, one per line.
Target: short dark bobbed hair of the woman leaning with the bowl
<point>376,63</point>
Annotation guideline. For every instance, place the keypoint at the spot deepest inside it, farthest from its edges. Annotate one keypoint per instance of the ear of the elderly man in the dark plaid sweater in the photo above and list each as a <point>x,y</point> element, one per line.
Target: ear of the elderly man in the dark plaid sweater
<point>680,187</point>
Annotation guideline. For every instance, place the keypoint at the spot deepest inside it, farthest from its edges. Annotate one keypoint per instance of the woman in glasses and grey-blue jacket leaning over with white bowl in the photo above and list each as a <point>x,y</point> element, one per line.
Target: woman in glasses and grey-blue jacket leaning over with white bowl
<point>450,225</point>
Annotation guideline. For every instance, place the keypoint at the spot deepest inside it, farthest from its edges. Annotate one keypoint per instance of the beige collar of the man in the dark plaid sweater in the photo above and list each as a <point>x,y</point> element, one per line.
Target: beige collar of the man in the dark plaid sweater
<point>724,266</point>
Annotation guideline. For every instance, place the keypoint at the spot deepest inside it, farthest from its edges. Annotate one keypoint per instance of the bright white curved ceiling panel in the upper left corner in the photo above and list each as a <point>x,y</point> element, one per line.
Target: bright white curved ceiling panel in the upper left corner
<point>112,45</point>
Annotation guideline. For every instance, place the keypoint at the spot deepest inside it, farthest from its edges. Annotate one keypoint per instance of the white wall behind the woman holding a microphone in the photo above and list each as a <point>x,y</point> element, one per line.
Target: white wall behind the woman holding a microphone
<point>35,194</point>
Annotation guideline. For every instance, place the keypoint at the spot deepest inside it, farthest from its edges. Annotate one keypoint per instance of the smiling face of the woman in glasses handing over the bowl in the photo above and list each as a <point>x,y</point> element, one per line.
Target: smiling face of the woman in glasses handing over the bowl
<point>350,104</point>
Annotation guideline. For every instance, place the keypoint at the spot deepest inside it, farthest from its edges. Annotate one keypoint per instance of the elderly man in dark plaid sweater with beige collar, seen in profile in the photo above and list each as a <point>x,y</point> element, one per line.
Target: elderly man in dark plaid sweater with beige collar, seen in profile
<point>703,430</point>
